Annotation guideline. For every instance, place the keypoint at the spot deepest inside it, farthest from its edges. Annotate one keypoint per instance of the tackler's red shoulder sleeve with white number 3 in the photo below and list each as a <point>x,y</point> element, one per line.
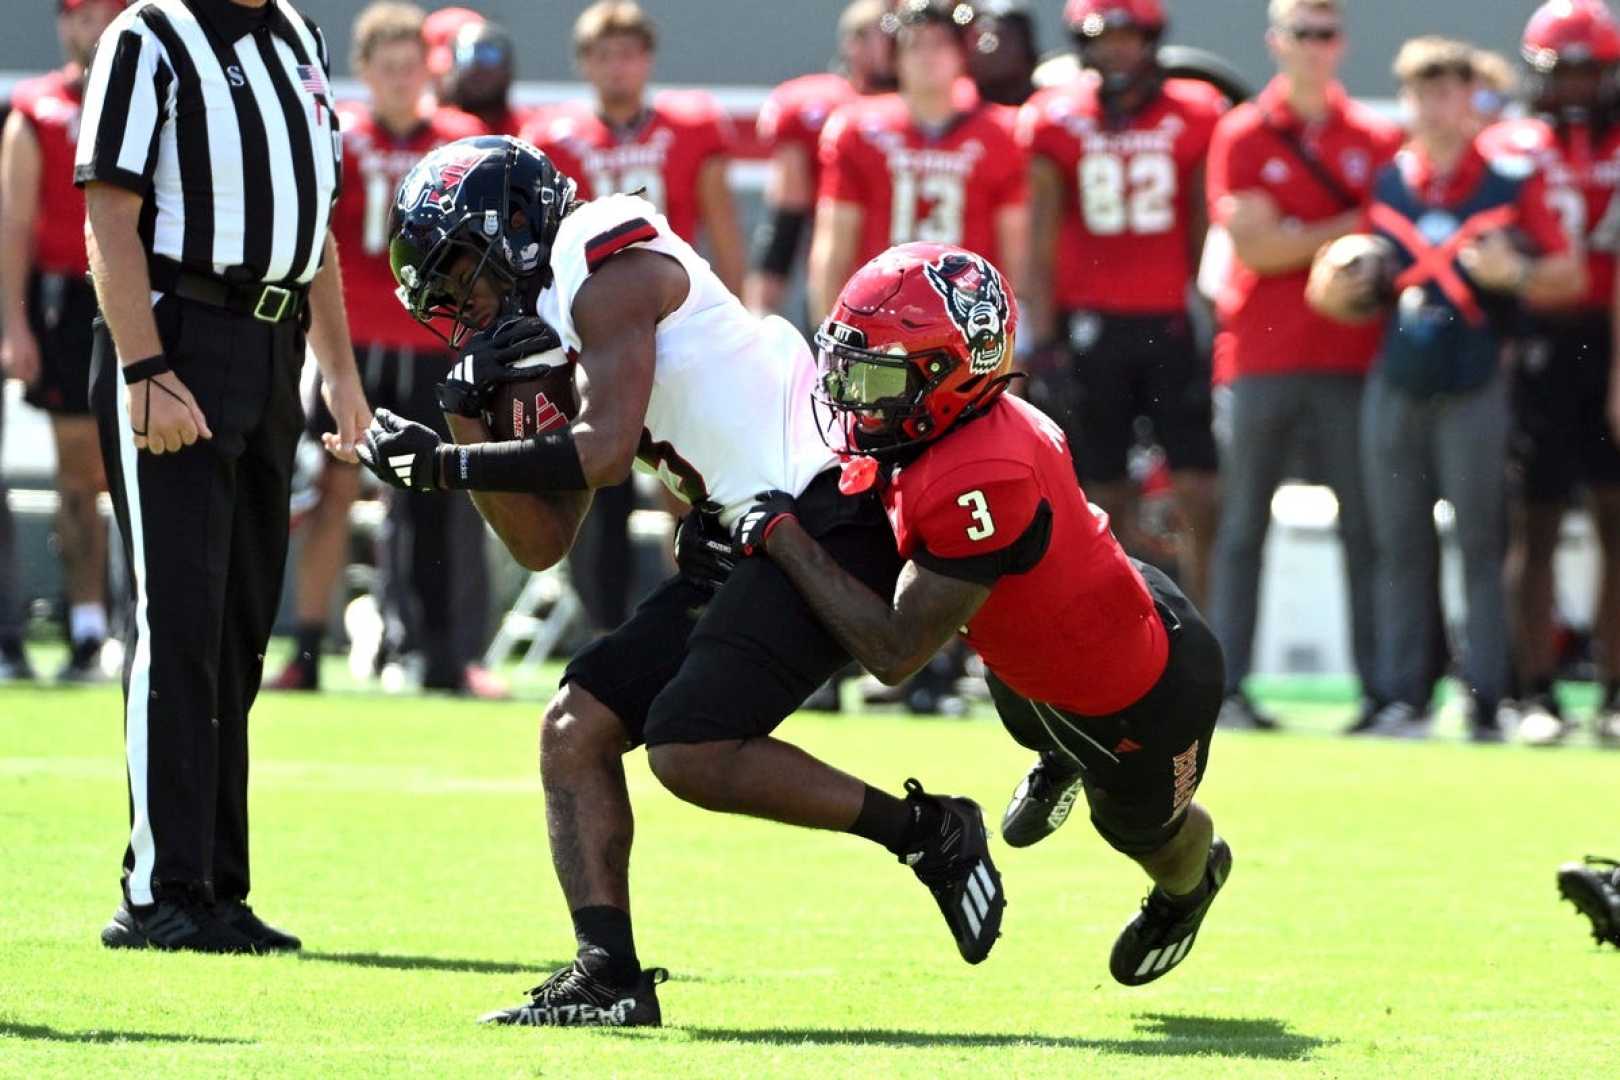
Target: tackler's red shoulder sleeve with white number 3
<point>981,524</point>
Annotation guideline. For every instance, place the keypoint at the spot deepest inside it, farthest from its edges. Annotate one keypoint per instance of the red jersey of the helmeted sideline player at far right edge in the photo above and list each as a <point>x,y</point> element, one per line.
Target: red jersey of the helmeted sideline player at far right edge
<point>1582,172</point>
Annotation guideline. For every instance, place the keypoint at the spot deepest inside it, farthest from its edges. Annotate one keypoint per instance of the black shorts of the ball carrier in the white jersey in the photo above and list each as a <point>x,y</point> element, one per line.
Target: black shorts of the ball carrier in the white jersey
<point>694,668</point>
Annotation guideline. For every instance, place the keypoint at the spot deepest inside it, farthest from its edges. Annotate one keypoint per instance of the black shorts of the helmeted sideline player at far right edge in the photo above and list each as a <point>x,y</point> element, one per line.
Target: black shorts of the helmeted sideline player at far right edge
<point>1561,423</point>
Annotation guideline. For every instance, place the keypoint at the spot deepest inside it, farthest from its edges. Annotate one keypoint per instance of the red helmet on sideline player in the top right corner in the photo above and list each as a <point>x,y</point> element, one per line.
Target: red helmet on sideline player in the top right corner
<point>1572,51</point>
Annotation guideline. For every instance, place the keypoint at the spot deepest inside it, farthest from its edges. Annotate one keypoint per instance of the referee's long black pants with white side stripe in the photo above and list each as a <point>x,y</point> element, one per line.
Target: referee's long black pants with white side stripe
<point>205,534</point>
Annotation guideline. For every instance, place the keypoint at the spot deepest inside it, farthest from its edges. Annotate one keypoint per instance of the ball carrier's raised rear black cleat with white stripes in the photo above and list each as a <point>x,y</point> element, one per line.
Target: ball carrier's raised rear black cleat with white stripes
<point>955,864</point>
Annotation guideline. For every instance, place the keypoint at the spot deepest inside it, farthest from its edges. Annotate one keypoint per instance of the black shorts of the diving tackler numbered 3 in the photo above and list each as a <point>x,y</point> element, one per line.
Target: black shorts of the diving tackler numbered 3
<point>1143,763</point>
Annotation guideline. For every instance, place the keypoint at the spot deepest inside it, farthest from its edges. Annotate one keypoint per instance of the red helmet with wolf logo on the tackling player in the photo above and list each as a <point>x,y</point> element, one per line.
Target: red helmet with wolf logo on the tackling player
<point>919,339</point>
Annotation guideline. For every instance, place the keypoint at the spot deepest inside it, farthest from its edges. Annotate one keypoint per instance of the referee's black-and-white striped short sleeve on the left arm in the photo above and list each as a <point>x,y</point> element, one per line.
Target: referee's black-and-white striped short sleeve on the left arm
<point>126,109</point>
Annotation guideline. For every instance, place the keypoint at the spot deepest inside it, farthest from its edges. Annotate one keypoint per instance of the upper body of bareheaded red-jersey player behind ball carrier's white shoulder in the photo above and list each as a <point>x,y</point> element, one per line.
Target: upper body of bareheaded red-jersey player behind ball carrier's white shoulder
<point>671,150</point>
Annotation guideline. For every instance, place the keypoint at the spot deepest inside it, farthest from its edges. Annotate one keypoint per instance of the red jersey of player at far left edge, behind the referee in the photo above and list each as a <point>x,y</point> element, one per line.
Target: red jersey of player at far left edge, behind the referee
<point>51,104</point>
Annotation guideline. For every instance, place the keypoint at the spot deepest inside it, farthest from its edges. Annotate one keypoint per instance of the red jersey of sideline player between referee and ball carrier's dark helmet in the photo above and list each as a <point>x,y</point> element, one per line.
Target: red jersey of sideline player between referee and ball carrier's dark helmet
<point>375,163</point>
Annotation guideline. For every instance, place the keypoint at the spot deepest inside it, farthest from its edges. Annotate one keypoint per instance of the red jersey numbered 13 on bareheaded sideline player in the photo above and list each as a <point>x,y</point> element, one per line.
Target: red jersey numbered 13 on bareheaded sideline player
<point>911,185</point>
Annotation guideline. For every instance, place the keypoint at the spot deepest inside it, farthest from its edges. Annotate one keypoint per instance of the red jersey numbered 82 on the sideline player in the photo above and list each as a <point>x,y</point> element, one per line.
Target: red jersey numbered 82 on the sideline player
<point>1130,192</point>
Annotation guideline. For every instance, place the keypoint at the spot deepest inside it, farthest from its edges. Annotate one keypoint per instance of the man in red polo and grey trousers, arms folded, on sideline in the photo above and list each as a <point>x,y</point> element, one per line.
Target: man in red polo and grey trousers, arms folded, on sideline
<point>1287,174</point>
